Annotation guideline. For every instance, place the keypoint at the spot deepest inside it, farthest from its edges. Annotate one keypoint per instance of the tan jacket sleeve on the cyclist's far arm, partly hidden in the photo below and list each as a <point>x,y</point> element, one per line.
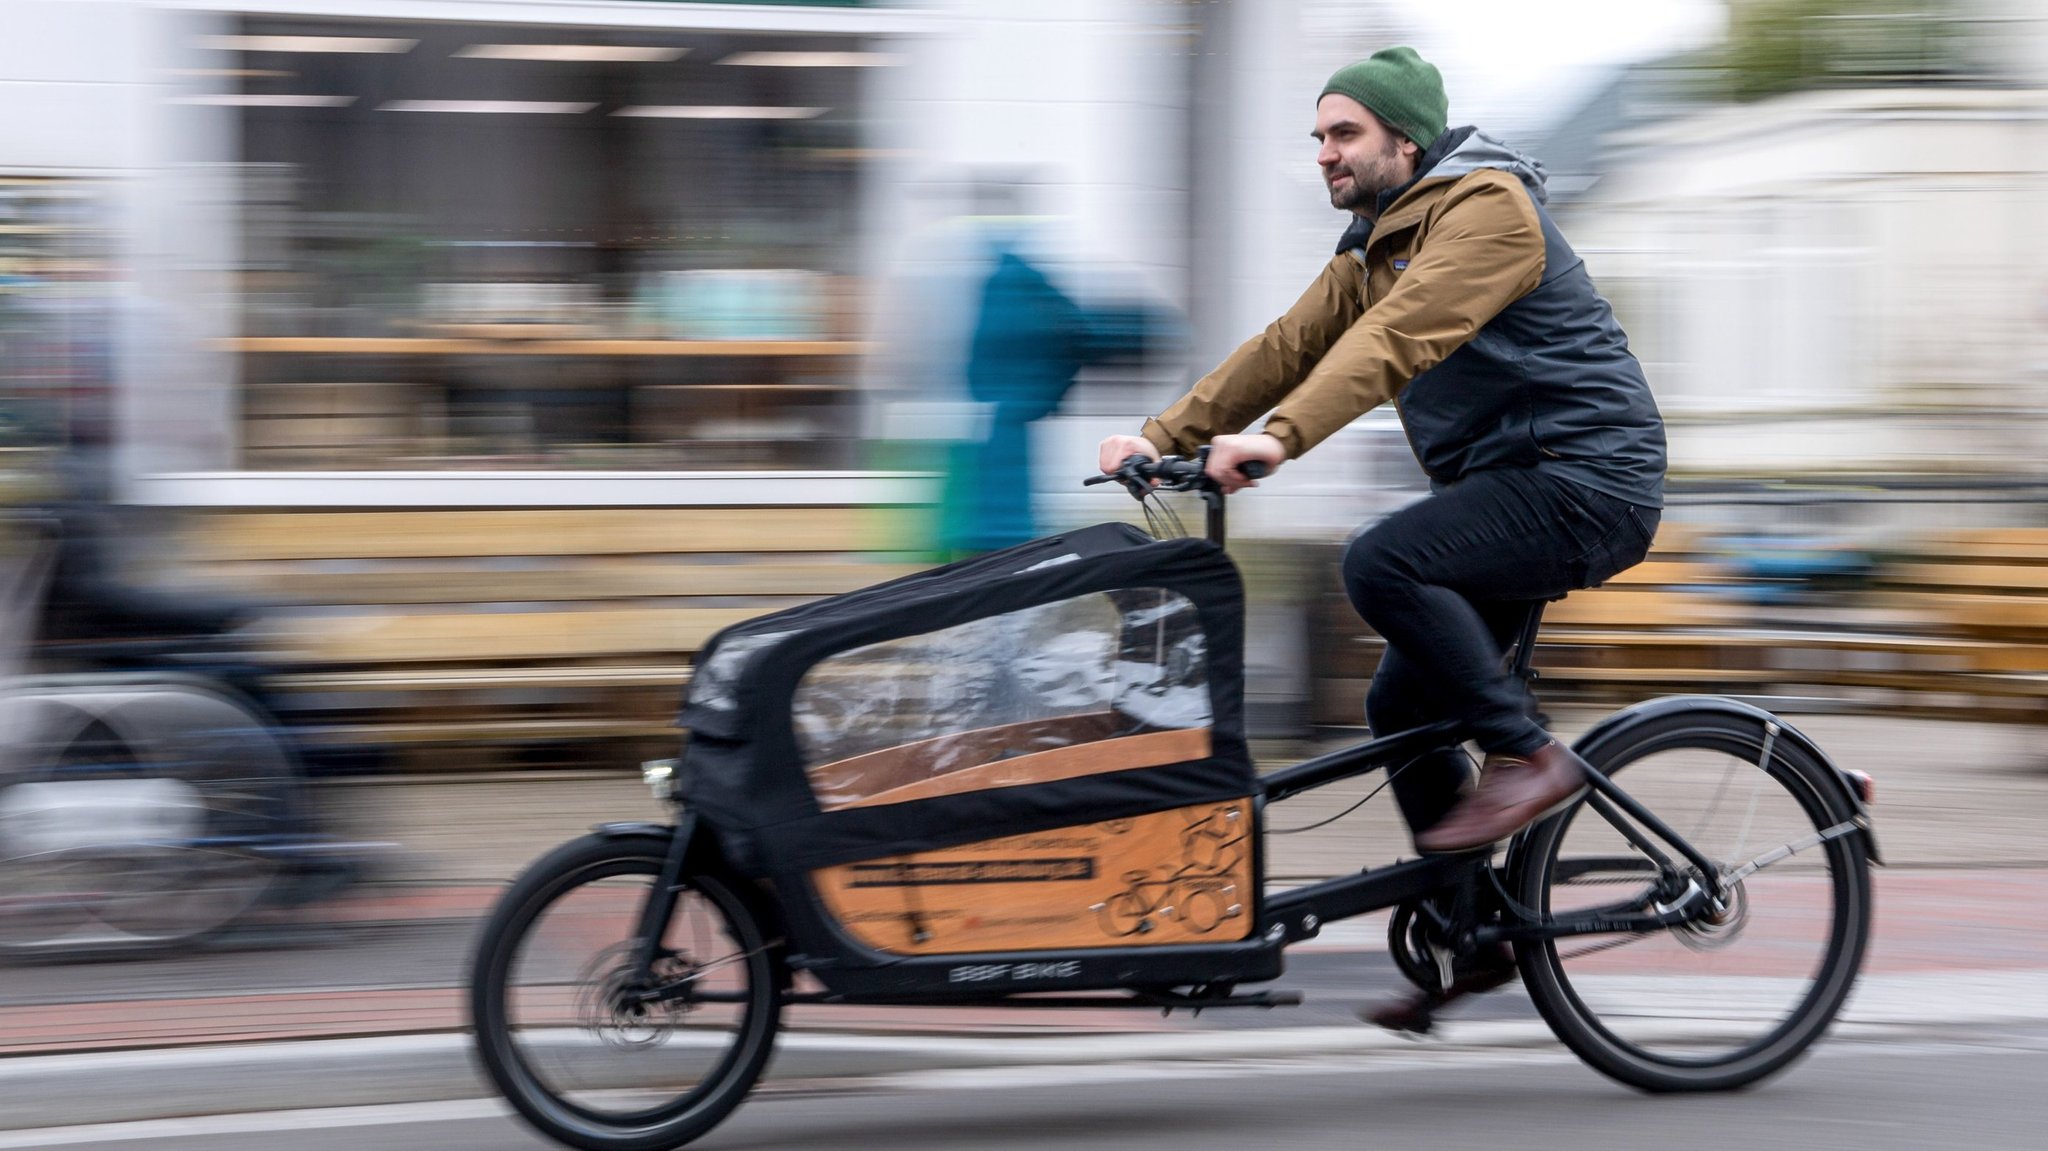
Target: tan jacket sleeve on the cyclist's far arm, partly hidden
<point>1265,368</point>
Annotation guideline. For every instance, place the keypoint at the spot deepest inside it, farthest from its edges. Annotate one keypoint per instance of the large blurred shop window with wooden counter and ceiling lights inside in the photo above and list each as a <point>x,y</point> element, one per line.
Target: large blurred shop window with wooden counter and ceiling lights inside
<point>546,249</point>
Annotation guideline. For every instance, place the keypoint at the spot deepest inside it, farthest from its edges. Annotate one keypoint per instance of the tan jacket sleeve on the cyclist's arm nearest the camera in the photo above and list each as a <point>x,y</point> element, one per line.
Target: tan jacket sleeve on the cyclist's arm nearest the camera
<point>1484,253</point>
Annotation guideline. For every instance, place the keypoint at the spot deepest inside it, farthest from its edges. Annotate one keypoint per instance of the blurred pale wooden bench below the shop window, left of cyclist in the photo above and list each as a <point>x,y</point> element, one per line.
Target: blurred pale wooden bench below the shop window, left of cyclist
<point>521,638</point>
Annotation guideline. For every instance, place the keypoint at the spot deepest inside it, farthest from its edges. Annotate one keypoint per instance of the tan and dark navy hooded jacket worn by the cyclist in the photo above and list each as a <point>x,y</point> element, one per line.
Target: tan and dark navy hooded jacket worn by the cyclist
<point>1467,308</point>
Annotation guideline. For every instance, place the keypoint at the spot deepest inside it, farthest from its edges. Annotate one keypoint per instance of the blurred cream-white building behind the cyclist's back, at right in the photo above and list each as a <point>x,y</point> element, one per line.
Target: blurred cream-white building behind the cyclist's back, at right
<point>1838,282</point>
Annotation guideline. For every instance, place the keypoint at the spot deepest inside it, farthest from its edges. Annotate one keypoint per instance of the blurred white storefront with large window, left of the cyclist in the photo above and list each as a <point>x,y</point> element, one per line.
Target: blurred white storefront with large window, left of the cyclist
<point>501,253</point>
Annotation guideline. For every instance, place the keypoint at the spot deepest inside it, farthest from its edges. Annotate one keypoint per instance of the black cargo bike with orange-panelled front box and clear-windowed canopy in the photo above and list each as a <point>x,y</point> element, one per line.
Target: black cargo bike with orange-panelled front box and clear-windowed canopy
<point>1023,781</point>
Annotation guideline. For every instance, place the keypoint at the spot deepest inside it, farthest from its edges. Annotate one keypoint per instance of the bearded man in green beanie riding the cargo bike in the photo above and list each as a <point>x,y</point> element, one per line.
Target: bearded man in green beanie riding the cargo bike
<point>1455,298</point>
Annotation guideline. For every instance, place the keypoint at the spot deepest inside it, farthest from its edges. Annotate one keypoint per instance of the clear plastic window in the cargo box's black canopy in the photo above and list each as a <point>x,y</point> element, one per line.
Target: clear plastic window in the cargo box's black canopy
<point>1084,671</point>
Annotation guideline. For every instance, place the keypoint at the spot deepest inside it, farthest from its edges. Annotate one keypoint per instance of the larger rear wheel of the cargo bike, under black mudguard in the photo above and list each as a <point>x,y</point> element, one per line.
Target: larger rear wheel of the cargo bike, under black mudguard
<point>1697,1009</point>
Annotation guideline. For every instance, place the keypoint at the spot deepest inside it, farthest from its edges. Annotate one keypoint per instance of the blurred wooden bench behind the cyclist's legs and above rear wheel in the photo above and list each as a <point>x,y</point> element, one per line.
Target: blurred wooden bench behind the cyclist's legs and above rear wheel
<point>1953,626</point>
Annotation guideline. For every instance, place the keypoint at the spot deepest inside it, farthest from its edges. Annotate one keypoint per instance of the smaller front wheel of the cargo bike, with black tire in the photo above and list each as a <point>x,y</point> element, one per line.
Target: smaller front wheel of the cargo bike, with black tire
<point>579,1064</point>
